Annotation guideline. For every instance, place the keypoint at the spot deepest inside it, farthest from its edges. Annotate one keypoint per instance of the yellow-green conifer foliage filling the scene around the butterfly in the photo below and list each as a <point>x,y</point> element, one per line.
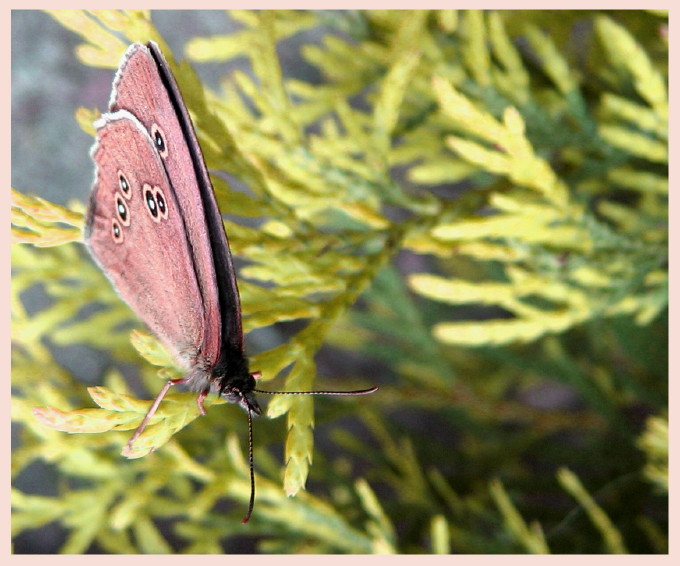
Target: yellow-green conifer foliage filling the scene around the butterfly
<point>466,208</point>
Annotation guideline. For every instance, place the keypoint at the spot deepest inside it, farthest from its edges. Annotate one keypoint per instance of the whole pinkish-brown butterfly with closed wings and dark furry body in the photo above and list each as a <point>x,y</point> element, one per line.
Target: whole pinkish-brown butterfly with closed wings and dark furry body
<point>154,228</point>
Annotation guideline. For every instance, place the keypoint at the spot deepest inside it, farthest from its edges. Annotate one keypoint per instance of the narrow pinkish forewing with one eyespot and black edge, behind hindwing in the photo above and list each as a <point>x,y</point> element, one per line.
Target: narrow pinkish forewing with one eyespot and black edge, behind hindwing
<point>145,86</point>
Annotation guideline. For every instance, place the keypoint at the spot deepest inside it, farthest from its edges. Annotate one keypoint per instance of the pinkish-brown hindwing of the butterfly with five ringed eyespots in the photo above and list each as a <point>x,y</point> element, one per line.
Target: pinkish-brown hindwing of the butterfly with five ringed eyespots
<point>136,232</point>
